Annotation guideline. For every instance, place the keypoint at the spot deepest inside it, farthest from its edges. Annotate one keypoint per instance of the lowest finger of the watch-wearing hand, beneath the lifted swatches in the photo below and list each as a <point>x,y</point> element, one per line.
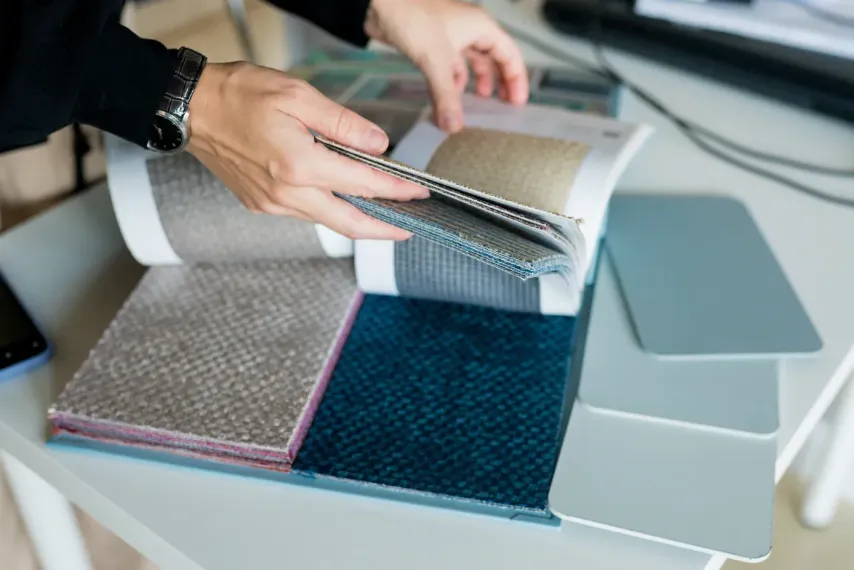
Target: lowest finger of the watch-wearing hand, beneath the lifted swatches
<point>344,218</point>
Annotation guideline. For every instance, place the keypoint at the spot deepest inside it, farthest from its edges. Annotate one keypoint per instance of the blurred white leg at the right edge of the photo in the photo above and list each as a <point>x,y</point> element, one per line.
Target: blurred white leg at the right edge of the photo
<point>825,491</point>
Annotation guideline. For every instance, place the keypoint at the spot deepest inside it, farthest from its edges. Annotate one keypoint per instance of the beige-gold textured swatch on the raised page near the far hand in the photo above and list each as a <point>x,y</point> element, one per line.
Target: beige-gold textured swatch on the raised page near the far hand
<point>540,173</point>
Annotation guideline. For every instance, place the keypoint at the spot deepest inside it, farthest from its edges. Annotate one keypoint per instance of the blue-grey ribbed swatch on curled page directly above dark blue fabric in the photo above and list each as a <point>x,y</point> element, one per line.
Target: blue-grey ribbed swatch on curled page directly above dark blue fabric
<point>426,270</point>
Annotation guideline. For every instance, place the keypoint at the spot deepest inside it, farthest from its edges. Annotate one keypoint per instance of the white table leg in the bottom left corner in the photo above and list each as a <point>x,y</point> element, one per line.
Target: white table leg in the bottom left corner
<point>48,517</point>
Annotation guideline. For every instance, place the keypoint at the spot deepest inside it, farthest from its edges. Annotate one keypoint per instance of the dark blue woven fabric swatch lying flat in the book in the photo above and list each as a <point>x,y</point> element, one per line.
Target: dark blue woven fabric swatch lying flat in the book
<point>448,399</point>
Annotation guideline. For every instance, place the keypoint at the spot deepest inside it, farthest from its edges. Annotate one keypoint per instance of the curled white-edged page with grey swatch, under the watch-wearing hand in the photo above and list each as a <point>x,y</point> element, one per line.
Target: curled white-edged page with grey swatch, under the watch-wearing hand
<point>172,210</point>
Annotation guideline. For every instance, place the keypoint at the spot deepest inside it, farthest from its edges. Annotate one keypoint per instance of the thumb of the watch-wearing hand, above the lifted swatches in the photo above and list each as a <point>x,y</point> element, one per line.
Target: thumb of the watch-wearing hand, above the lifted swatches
<point>336,122</point>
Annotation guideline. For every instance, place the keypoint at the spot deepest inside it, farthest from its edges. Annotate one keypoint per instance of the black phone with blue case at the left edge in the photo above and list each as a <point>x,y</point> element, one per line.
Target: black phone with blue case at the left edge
<point>22,345</point>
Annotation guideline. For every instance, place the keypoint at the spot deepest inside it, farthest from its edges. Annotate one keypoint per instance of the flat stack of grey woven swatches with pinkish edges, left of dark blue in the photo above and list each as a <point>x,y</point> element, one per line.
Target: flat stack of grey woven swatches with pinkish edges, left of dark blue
<point>228,359</point>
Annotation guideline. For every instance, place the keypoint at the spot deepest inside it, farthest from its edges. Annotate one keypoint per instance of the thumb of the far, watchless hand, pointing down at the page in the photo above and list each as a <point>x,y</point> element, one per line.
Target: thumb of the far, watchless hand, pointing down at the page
<point>441,71</point>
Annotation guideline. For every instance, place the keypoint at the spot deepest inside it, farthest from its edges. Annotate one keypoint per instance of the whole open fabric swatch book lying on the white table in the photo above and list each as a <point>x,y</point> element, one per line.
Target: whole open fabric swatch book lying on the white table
<point>433,370</point>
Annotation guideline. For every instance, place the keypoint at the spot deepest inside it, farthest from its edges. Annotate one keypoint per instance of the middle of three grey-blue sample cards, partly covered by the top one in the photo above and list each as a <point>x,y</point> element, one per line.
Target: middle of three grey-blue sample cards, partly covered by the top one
<point>619,376</point>
